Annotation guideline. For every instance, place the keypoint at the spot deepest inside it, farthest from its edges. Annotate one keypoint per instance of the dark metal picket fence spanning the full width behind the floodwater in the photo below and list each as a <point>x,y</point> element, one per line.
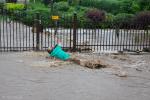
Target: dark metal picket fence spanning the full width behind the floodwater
<point>15,35</point>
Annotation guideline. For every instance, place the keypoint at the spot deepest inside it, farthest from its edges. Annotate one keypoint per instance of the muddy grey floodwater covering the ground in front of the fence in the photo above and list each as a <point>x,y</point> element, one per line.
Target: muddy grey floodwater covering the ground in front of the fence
<point>19,80</point>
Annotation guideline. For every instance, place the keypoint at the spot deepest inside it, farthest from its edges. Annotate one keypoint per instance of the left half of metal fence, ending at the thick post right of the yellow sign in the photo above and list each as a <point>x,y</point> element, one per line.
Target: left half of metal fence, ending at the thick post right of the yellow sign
<point>18,35</point>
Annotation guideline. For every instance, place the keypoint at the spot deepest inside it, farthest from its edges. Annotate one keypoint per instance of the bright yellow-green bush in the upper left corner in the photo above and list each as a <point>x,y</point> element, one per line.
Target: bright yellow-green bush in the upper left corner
<point>14,6</point>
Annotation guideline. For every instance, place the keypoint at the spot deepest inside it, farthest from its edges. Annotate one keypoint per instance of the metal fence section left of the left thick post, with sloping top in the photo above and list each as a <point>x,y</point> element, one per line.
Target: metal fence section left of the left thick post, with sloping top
<point>14,35</point>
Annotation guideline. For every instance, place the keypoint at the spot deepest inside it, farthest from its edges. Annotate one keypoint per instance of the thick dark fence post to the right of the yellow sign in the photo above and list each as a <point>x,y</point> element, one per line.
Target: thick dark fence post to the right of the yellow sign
<point>74,31</point>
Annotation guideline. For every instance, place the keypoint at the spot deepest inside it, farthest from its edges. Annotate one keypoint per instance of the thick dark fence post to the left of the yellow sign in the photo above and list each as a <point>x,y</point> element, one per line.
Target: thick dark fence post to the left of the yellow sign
<point>37,25</point>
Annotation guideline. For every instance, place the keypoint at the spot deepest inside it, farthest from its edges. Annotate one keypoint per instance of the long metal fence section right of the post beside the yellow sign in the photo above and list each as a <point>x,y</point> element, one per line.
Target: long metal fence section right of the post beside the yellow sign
<point>131,37</point>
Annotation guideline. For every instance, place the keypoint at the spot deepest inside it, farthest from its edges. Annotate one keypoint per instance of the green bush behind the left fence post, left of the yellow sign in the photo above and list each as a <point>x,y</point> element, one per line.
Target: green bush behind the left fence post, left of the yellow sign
<point>28,16</point>
